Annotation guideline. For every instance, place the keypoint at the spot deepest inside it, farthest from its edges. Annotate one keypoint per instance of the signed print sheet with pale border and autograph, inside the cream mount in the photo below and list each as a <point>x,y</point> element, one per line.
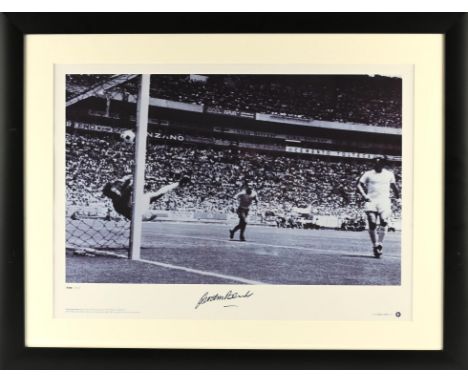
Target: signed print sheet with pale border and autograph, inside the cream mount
<point>206,157</point>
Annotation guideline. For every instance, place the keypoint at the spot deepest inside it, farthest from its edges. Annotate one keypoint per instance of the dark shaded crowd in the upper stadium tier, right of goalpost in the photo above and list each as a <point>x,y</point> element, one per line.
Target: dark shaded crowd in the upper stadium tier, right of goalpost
<point>357,99</point>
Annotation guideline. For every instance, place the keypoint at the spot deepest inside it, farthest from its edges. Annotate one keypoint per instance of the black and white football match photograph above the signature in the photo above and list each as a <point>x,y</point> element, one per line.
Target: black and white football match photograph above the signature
<point>282,179</point>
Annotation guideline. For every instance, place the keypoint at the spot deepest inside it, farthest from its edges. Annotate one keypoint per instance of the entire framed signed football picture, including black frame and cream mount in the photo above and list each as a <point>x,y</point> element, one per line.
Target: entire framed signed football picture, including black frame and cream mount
<point>272,191</point>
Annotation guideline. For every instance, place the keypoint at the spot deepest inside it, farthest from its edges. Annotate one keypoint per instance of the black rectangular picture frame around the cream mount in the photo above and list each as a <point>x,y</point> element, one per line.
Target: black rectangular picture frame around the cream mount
<point>13,29</point>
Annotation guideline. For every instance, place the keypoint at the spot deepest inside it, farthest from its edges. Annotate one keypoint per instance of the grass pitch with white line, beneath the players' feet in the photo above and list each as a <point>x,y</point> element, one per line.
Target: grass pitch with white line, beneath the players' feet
<point>197,253</point>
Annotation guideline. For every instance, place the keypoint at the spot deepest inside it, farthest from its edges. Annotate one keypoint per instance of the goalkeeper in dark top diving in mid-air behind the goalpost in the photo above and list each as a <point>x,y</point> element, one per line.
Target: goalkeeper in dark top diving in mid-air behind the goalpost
<point>120,192</point>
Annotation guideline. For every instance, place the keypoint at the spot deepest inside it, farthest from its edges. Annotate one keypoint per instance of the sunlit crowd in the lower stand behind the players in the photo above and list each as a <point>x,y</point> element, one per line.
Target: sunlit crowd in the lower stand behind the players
<point>283,182</point>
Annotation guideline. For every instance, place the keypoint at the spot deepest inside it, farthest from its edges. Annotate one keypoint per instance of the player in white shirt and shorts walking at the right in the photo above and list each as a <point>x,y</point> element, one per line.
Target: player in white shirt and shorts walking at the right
<point>374,186</point>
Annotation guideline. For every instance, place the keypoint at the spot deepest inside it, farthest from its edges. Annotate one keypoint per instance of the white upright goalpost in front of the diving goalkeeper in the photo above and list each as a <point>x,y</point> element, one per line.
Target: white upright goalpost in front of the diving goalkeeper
<point>139,170</point>
